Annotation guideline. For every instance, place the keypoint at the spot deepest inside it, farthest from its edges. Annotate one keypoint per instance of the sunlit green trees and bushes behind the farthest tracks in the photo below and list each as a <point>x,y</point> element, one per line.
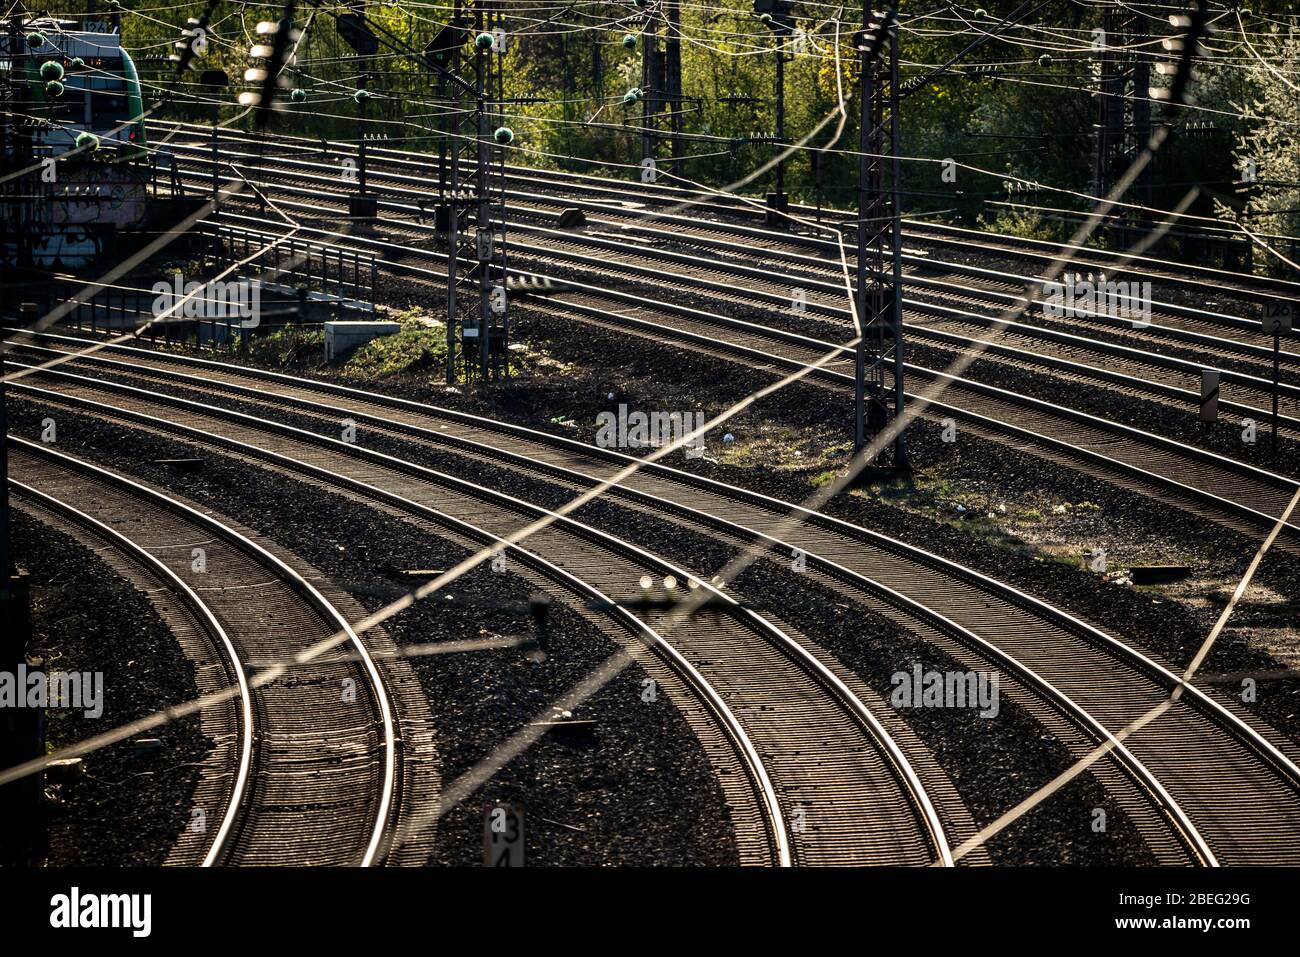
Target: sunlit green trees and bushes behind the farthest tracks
<point>570,101</point>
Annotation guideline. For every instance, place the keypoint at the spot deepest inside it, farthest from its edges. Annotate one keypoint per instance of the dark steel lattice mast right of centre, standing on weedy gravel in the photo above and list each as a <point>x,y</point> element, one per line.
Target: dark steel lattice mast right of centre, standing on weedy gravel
<point>879,271</point>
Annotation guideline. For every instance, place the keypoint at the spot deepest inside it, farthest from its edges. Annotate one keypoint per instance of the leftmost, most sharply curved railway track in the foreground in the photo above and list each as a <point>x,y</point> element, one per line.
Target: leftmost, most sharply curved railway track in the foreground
<point>315,778</point>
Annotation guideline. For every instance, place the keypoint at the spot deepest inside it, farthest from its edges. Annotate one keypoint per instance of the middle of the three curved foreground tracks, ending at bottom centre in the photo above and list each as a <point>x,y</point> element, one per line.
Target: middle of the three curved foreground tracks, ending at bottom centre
<point>801,737</point>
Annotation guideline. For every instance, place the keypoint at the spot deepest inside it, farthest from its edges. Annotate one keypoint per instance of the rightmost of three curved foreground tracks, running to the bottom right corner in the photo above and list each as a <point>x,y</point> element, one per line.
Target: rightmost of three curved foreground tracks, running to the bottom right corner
<point>1064,664</point>
